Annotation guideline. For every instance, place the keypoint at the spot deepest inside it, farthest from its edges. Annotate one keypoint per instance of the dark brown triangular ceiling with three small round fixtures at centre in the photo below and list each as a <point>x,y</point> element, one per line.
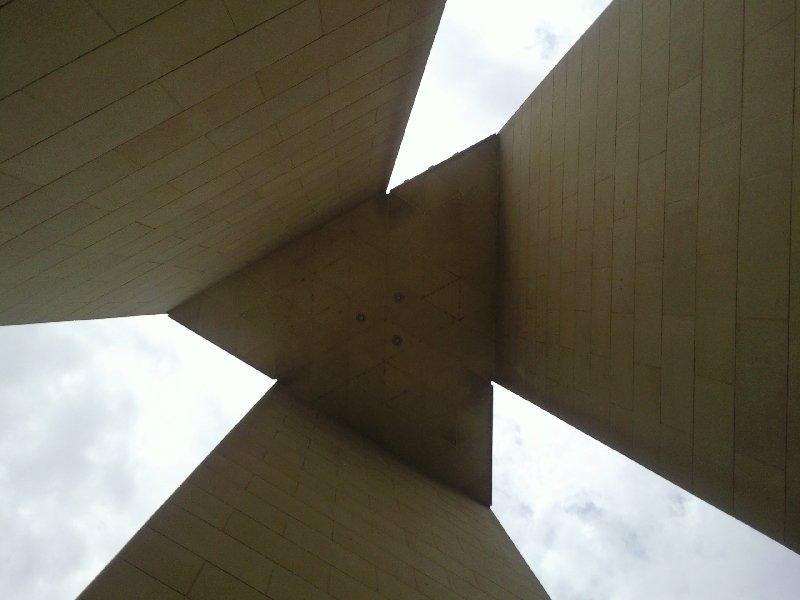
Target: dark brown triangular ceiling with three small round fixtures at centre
<point>414,374</point>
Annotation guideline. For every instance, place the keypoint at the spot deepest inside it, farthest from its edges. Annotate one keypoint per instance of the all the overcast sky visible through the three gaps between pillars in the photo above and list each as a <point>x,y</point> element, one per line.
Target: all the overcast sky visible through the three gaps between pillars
<point>100,421</point>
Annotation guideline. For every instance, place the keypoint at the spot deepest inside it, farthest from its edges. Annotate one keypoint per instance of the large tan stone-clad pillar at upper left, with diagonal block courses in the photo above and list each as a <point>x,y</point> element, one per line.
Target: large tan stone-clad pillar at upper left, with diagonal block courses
<point>148,149</point>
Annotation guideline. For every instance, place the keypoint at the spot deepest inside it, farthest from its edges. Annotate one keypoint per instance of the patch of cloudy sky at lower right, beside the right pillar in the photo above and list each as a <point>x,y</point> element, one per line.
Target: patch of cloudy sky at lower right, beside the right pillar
<point>593,524</point>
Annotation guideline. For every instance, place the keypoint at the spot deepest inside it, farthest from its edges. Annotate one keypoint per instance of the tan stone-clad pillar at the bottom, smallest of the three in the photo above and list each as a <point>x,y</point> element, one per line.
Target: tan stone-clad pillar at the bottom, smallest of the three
<point>291,506</point>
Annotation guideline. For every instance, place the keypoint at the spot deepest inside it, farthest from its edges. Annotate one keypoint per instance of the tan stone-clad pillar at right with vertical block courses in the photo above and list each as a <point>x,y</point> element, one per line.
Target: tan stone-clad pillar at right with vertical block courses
<point>646,261</point>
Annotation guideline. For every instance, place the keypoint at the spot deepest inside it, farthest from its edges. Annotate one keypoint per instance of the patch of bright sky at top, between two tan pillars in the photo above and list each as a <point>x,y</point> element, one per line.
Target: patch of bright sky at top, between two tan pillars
<point>483,65</point>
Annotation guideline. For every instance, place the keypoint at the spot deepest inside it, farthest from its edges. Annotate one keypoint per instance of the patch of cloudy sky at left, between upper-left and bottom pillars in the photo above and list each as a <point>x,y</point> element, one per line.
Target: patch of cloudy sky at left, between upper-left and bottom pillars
<point>81,409</point>
